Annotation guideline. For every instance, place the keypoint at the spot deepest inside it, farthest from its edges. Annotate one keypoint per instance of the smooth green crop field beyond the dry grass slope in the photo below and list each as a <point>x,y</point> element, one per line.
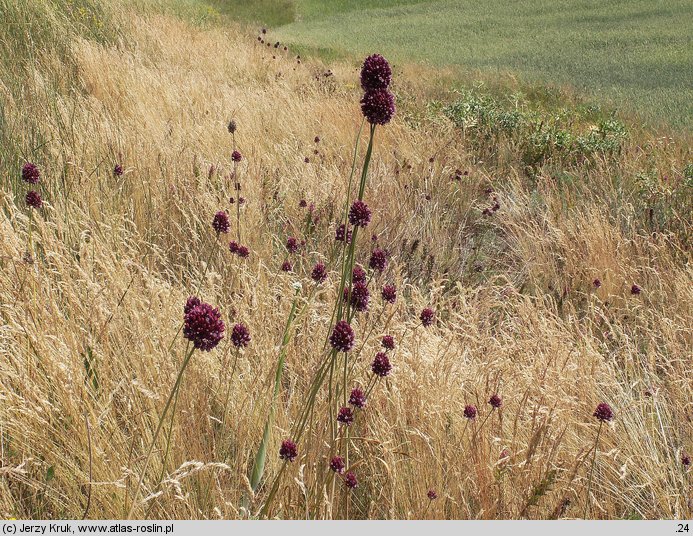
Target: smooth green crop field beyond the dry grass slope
<point>634,54</point>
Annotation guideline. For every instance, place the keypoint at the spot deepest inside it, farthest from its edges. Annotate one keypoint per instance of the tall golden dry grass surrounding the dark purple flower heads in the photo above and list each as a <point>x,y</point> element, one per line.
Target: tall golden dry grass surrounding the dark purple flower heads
<point>559,280</point>
